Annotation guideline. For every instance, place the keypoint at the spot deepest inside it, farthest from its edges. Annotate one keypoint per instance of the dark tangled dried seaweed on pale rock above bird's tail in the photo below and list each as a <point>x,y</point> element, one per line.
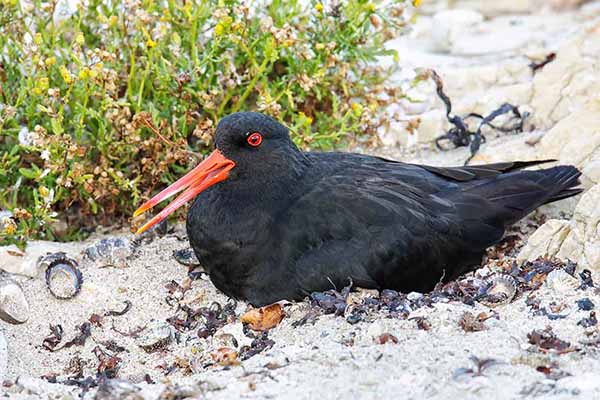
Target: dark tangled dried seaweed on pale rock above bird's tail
<point>460,135</point>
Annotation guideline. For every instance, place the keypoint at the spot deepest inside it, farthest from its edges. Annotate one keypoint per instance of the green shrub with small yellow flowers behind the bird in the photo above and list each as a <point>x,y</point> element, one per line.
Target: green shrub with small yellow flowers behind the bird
<point>102,108</point>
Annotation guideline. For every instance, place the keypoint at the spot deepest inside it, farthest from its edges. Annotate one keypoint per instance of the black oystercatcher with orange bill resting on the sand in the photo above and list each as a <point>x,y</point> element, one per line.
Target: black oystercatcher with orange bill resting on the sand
<point>276,223</point>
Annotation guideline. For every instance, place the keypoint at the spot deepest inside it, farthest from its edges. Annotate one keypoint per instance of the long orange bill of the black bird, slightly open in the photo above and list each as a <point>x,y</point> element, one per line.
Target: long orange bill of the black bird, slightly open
<point>215,168</point>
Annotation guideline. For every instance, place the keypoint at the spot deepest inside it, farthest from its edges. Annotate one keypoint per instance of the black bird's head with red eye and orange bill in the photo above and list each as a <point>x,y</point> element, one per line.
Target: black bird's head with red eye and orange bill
<point>248,146</point>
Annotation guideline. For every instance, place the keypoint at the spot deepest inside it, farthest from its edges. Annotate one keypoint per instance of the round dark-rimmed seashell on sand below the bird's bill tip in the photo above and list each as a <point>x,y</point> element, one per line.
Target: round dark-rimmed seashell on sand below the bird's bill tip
<point>63,278</point>
